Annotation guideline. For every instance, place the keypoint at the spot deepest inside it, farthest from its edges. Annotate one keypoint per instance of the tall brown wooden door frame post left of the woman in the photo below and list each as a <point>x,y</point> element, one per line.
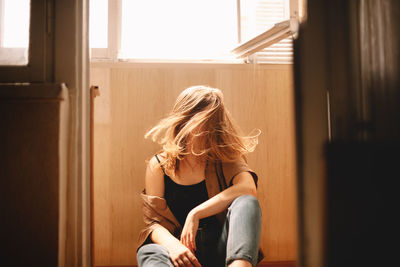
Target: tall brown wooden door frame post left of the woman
<point>71,66</point>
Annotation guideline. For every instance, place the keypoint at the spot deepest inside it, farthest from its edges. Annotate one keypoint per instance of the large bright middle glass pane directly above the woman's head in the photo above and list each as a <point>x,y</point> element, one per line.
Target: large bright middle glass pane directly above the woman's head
<point>178,29</point>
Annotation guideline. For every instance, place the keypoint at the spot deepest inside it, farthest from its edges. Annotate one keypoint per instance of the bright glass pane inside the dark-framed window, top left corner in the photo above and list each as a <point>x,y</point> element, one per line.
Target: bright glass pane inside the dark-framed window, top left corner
<point>14,32</point>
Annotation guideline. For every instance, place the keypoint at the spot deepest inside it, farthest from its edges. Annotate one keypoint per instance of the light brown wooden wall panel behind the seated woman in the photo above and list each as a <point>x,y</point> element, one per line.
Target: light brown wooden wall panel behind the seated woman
<point>134,96</point>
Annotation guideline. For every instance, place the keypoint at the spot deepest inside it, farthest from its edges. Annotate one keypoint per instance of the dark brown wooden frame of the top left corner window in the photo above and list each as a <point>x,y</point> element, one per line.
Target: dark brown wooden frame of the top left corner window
<point>39,67</point>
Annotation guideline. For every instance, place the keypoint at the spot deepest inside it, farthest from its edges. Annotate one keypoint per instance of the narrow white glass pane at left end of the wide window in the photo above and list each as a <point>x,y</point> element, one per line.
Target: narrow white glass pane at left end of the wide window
<point>98,19</point>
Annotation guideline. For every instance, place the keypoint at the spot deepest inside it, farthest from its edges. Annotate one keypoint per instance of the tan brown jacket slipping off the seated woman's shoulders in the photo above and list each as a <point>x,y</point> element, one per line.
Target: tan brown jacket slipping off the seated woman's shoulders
<point>218,176</point>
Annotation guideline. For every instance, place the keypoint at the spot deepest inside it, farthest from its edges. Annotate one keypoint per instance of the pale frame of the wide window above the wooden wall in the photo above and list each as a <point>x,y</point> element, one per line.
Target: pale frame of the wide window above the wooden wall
<point>110,54</point>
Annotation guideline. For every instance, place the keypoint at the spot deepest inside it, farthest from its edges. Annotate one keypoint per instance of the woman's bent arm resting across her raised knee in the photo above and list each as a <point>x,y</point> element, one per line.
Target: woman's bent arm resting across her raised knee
<point>243,184</point>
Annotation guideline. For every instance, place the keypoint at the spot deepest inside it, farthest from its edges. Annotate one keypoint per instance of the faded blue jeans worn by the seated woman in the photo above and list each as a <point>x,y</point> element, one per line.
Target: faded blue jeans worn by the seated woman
<point>239,238</point>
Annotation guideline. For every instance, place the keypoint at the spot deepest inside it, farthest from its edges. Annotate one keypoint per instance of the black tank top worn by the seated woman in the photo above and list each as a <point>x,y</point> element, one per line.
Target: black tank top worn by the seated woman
<point>181,199</point>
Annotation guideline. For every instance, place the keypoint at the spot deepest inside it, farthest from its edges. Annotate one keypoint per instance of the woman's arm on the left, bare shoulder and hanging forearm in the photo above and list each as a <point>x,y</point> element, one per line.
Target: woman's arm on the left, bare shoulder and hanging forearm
<point>154,184</point>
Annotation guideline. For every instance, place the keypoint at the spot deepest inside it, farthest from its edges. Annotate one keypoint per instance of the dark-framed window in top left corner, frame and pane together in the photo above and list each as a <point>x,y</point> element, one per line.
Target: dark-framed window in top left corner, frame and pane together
<point>26,26</point>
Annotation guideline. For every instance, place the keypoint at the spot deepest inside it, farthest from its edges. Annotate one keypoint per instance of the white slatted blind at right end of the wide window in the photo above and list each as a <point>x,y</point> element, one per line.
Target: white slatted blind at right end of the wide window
<point>257,16</point>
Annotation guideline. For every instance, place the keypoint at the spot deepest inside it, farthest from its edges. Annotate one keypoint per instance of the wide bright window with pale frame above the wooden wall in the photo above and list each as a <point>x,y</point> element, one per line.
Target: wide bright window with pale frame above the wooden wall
<point>205,30</point>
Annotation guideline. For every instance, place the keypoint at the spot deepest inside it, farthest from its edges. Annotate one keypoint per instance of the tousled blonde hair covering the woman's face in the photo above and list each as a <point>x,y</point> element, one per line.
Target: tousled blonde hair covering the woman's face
<point>199,112</point>
